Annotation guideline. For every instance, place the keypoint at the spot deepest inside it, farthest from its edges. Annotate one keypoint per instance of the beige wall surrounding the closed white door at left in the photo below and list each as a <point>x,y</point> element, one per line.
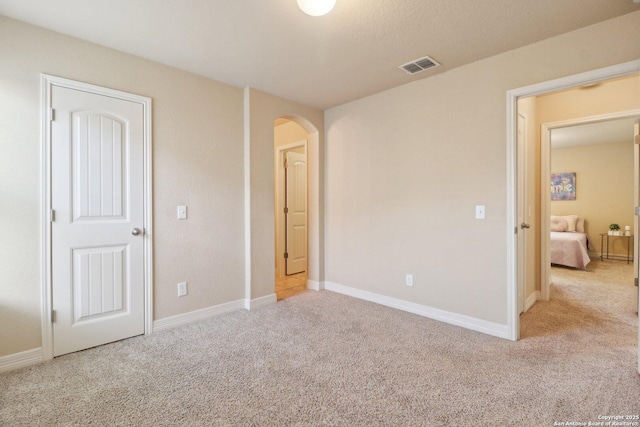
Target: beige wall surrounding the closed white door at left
<point>197,158</point>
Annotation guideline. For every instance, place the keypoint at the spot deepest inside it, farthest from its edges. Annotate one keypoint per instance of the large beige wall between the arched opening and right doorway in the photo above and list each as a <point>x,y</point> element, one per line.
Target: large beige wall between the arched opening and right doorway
<point>405,167</point>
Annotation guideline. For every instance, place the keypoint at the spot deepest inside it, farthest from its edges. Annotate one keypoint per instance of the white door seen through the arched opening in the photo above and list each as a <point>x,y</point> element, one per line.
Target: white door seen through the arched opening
<point>296,212</point>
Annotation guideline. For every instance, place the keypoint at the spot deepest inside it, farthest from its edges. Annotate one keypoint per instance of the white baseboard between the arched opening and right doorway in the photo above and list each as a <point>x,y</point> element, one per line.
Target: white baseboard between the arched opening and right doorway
<point>475,324</point>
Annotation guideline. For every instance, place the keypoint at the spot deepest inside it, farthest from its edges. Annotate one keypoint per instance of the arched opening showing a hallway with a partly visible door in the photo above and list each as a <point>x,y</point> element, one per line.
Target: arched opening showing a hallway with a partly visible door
<point>291,206</point>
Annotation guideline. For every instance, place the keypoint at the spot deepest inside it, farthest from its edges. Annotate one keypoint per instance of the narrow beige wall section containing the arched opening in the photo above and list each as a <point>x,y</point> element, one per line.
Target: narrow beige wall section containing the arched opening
<point>263,110</point>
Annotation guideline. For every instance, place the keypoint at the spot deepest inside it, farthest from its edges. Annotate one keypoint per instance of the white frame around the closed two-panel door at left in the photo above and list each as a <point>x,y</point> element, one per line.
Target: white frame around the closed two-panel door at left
<point>47,82</point>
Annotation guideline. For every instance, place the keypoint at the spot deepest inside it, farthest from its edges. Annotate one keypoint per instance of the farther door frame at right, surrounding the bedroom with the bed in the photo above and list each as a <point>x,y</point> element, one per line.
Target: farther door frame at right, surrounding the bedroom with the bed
<point>545,173</point>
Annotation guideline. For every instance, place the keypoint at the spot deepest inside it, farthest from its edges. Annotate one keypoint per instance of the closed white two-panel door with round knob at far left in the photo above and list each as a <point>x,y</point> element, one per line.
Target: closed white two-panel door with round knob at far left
<point>97,195</point>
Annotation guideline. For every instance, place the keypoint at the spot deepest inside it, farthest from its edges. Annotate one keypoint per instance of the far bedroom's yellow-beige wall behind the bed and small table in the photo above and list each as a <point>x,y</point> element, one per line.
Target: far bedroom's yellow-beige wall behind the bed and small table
<point>604,187</point>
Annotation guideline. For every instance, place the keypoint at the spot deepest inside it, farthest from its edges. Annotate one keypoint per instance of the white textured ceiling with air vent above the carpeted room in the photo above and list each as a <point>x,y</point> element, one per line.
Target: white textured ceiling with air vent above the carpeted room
<point>352,52</point>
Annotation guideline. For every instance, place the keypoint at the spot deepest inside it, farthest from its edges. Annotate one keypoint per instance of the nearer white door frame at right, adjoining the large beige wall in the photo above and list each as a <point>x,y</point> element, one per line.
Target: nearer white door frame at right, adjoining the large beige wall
<point>620,70</point>
